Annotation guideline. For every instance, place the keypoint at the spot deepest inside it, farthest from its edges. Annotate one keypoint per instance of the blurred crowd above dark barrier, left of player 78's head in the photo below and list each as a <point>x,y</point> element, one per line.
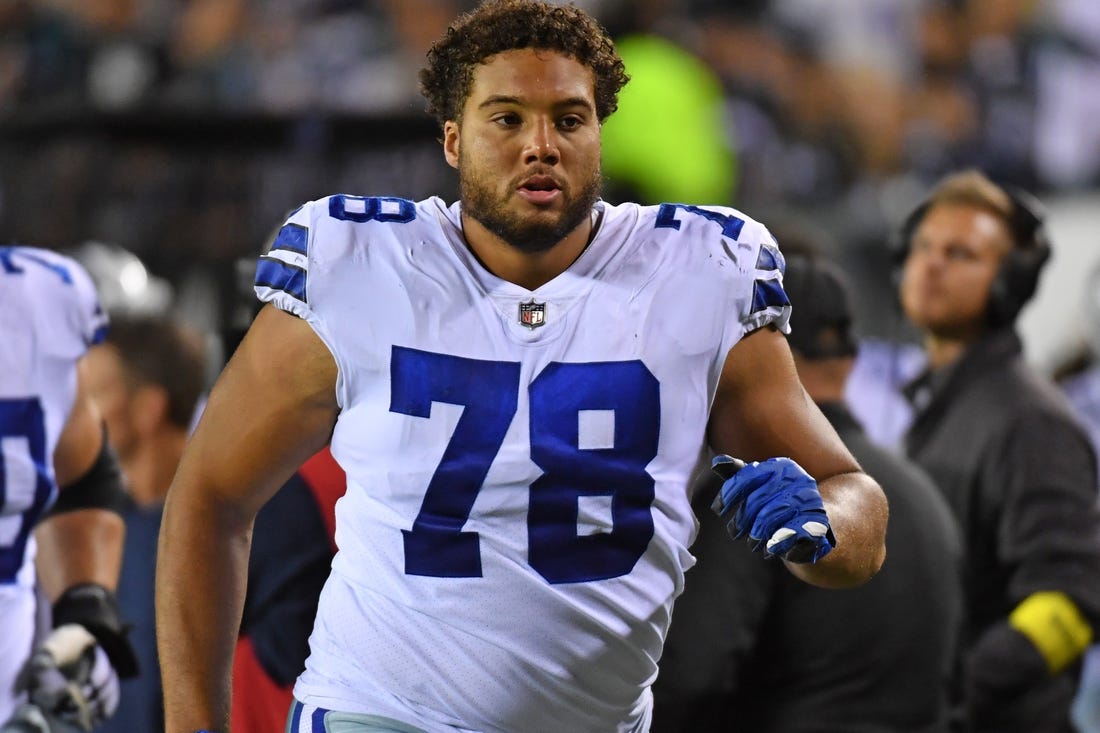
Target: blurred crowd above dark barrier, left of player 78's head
<point>284,56</point>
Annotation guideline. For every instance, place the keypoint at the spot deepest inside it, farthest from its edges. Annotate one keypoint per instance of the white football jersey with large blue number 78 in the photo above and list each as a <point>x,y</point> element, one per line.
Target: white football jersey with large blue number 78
<point>518,518</point>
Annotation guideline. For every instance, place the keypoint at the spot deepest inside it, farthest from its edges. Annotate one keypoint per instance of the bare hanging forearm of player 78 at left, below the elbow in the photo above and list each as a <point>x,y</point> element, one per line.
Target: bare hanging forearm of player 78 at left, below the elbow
<point>201,582</point>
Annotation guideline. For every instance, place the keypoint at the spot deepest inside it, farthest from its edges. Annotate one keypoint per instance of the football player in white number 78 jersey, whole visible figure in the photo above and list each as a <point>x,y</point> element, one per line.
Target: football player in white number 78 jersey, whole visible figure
<point>519,386</point>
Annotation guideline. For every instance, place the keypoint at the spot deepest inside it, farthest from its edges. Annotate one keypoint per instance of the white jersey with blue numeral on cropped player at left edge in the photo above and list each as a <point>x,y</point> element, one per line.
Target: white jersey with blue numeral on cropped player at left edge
<point>49,318</point>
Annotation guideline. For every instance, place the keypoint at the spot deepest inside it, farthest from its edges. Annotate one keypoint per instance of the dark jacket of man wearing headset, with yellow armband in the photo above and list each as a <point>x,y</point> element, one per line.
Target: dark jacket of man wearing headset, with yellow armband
<point>1020,475</point>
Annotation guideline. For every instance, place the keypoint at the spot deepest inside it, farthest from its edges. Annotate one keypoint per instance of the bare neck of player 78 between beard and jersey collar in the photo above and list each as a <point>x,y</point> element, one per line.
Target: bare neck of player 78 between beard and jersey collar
<point>530,270</point>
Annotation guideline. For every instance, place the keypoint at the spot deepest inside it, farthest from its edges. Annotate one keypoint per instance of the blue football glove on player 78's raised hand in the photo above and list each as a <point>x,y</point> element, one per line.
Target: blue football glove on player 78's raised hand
<point>777,505</point>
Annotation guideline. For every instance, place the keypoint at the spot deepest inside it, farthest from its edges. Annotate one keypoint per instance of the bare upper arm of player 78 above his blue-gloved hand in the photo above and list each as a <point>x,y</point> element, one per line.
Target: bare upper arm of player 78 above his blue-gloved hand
<point>762,410</point>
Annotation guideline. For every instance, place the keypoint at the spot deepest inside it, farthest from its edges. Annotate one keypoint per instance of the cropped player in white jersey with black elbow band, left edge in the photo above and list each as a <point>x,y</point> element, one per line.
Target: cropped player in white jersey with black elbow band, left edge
<point>61,496</point>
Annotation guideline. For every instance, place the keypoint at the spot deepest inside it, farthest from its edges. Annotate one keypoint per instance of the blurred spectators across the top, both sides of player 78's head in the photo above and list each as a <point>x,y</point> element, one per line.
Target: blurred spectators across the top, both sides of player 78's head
<point>835,93</point>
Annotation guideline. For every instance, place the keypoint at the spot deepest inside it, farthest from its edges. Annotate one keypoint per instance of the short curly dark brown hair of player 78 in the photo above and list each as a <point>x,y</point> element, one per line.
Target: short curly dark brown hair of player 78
<point>500,26</point>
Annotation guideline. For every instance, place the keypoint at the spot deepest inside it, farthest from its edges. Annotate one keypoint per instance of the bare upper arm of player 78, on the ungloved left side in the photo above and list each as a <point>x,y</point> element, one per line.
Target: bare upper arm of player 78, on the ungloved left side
<point>273,407</point>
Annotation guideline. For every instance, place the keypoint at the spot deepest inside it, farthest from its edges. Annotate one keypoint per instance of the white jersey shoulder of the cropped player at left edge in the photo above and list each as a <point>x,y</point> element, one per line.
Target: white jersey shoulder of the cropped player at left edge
<point>57,289</point>
